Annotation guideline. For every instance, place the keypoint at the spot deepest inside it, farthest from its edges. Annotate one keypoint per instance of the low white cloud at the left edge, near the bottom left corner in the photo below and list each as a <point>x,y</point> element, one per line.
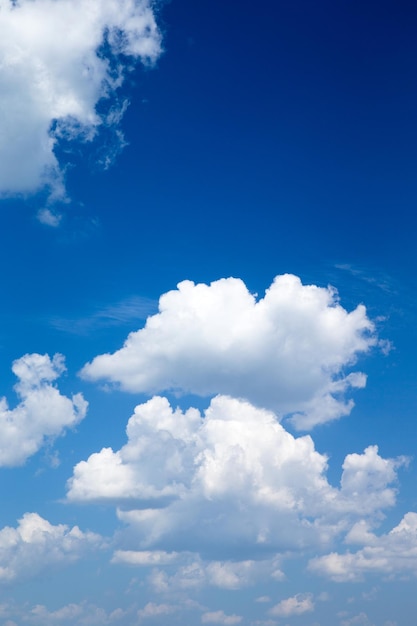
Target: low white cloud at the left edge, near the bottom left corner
<point>36,544</point>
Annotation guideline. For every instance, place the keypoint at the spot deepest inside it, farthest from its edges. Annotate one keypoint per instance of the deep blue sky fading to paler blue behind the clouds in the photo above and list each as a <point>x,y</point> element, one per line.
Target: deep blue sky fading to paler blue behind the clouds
<point>268,138</point>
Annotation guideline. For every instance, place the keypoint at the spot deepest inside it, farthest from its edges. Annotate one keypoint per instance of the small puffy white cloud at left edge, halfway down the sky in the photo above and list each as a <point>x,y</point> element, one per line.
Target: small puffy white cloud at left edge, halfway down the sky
<point>42,411</point>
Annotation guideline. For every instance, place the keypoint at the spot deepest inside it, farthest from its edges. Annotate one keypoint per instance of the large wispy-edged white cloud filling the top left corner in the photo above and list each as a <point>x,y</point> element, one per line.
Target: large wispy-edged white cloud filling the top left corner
<point>58,61</point>
